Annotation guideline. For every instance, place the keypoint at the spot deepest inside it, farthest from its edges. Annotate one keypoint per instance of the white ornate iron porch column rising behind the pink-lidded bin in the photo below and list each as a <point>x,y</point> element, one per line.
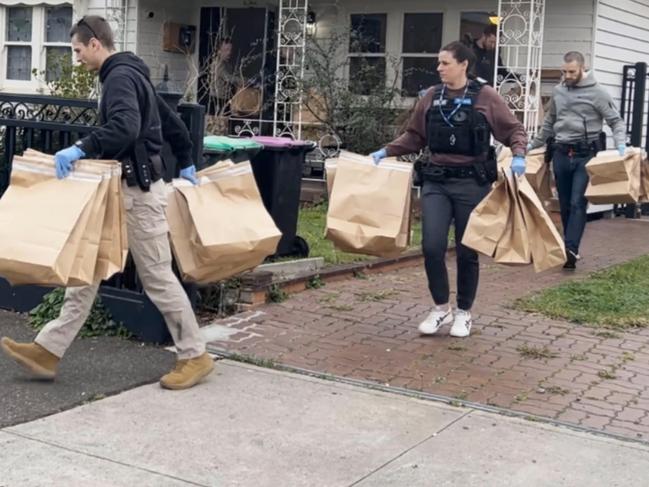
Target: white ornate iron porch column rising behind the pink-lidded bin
<point>291,41</point>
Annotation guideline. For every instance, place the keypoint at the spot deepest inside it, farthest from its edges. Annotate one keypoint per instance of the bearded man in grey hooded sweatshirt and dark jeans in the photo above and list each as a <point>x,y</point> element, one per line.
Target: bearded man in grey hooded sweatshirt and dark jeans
<point>578,108</point>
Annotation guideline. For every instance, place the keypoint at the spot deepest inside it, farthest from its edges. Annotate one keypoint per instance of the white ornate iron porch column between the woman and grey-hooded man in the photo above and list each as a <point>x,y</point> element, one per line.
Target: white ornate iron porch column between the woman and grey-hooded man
<point>520,44</point>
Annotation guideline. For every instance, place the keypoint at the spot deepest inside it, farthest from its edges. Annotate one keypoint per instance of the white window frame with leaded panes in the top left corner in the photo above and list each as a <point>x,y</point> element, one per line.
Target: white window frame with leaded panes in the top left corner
<point>37,44</point>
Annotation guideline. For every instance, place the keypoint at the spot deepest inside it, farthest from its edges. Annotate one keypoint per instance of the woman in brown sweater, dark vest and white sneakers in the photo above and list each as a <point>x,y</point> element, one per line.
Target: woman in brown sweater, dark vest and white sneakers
<point>454,122</point>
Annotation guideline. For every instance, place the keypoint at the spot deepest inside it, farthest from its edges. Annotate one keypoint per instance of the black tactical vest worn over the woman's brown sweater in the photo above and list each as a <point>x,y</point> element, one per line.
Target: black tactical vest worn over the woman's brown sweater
<point>454,126</point>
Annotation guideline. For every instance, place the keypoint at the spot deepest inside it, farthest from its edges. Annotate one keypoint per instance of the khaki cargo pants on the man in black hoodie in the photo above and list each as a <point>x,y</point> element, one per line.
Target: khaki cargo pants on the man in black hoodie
<point>149,245</point>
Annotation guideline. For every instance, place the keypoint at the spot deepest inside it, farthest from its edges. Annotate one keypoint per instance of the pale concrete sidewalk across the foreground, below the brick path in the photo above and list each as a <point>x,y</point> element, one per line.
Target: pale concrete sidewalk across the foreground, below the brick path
<point>248,426</point>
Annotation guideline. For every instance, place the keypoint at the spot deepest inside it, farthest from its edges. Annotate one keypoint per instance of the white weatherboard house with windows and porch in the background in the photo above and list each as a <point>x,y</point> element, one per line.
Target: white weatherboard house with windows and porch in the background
<point>534,35</point>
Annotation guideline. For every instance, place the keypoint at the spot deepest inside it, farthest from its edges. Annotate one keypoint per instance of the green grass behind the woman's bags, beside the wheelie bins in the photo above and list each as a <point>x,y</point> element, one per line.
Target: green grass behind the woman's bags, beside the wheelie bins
<point>311,227</point>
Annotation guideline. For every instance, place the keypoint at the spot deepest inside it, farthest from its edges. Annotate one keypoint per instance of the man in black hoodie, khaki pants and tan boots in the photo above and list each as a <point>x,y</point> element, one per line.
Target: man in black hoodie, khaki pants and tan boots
<point>133,121</point>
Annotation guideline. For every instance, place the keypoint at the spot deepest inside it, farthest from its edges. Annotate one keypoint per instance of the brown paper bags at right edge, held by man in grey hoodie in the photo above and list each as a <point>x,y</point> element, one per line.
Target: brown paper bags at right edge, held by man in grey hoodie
<point>615,179</point>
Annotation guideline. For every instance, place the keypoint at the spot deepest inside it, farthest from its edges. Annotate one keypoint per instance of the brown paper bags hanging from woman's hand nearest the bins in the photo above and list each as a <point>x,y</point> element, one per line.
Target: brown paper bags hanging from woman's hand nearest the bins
<point>369,204</point>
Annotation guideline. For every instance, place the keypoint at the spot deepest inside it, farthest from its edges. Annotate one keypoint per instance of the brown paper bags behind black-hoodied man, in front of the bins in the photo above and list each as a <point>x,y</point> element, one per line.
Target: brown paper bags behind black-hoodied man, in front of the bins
<point>220,227</point>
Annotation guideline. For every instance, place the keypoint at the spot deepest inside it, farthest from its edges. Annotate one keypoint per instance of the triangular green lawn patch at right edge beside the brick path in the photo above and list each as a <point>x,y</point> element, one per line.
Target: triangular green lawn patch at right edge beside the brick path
<point>614,298</point>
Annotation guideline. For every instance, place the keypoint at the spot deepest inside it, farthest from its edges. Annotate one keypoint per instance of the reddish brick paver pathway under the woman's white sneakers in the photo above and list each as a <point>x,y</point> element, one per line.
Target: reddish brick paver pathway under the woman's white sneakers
<point>367,329</point>
